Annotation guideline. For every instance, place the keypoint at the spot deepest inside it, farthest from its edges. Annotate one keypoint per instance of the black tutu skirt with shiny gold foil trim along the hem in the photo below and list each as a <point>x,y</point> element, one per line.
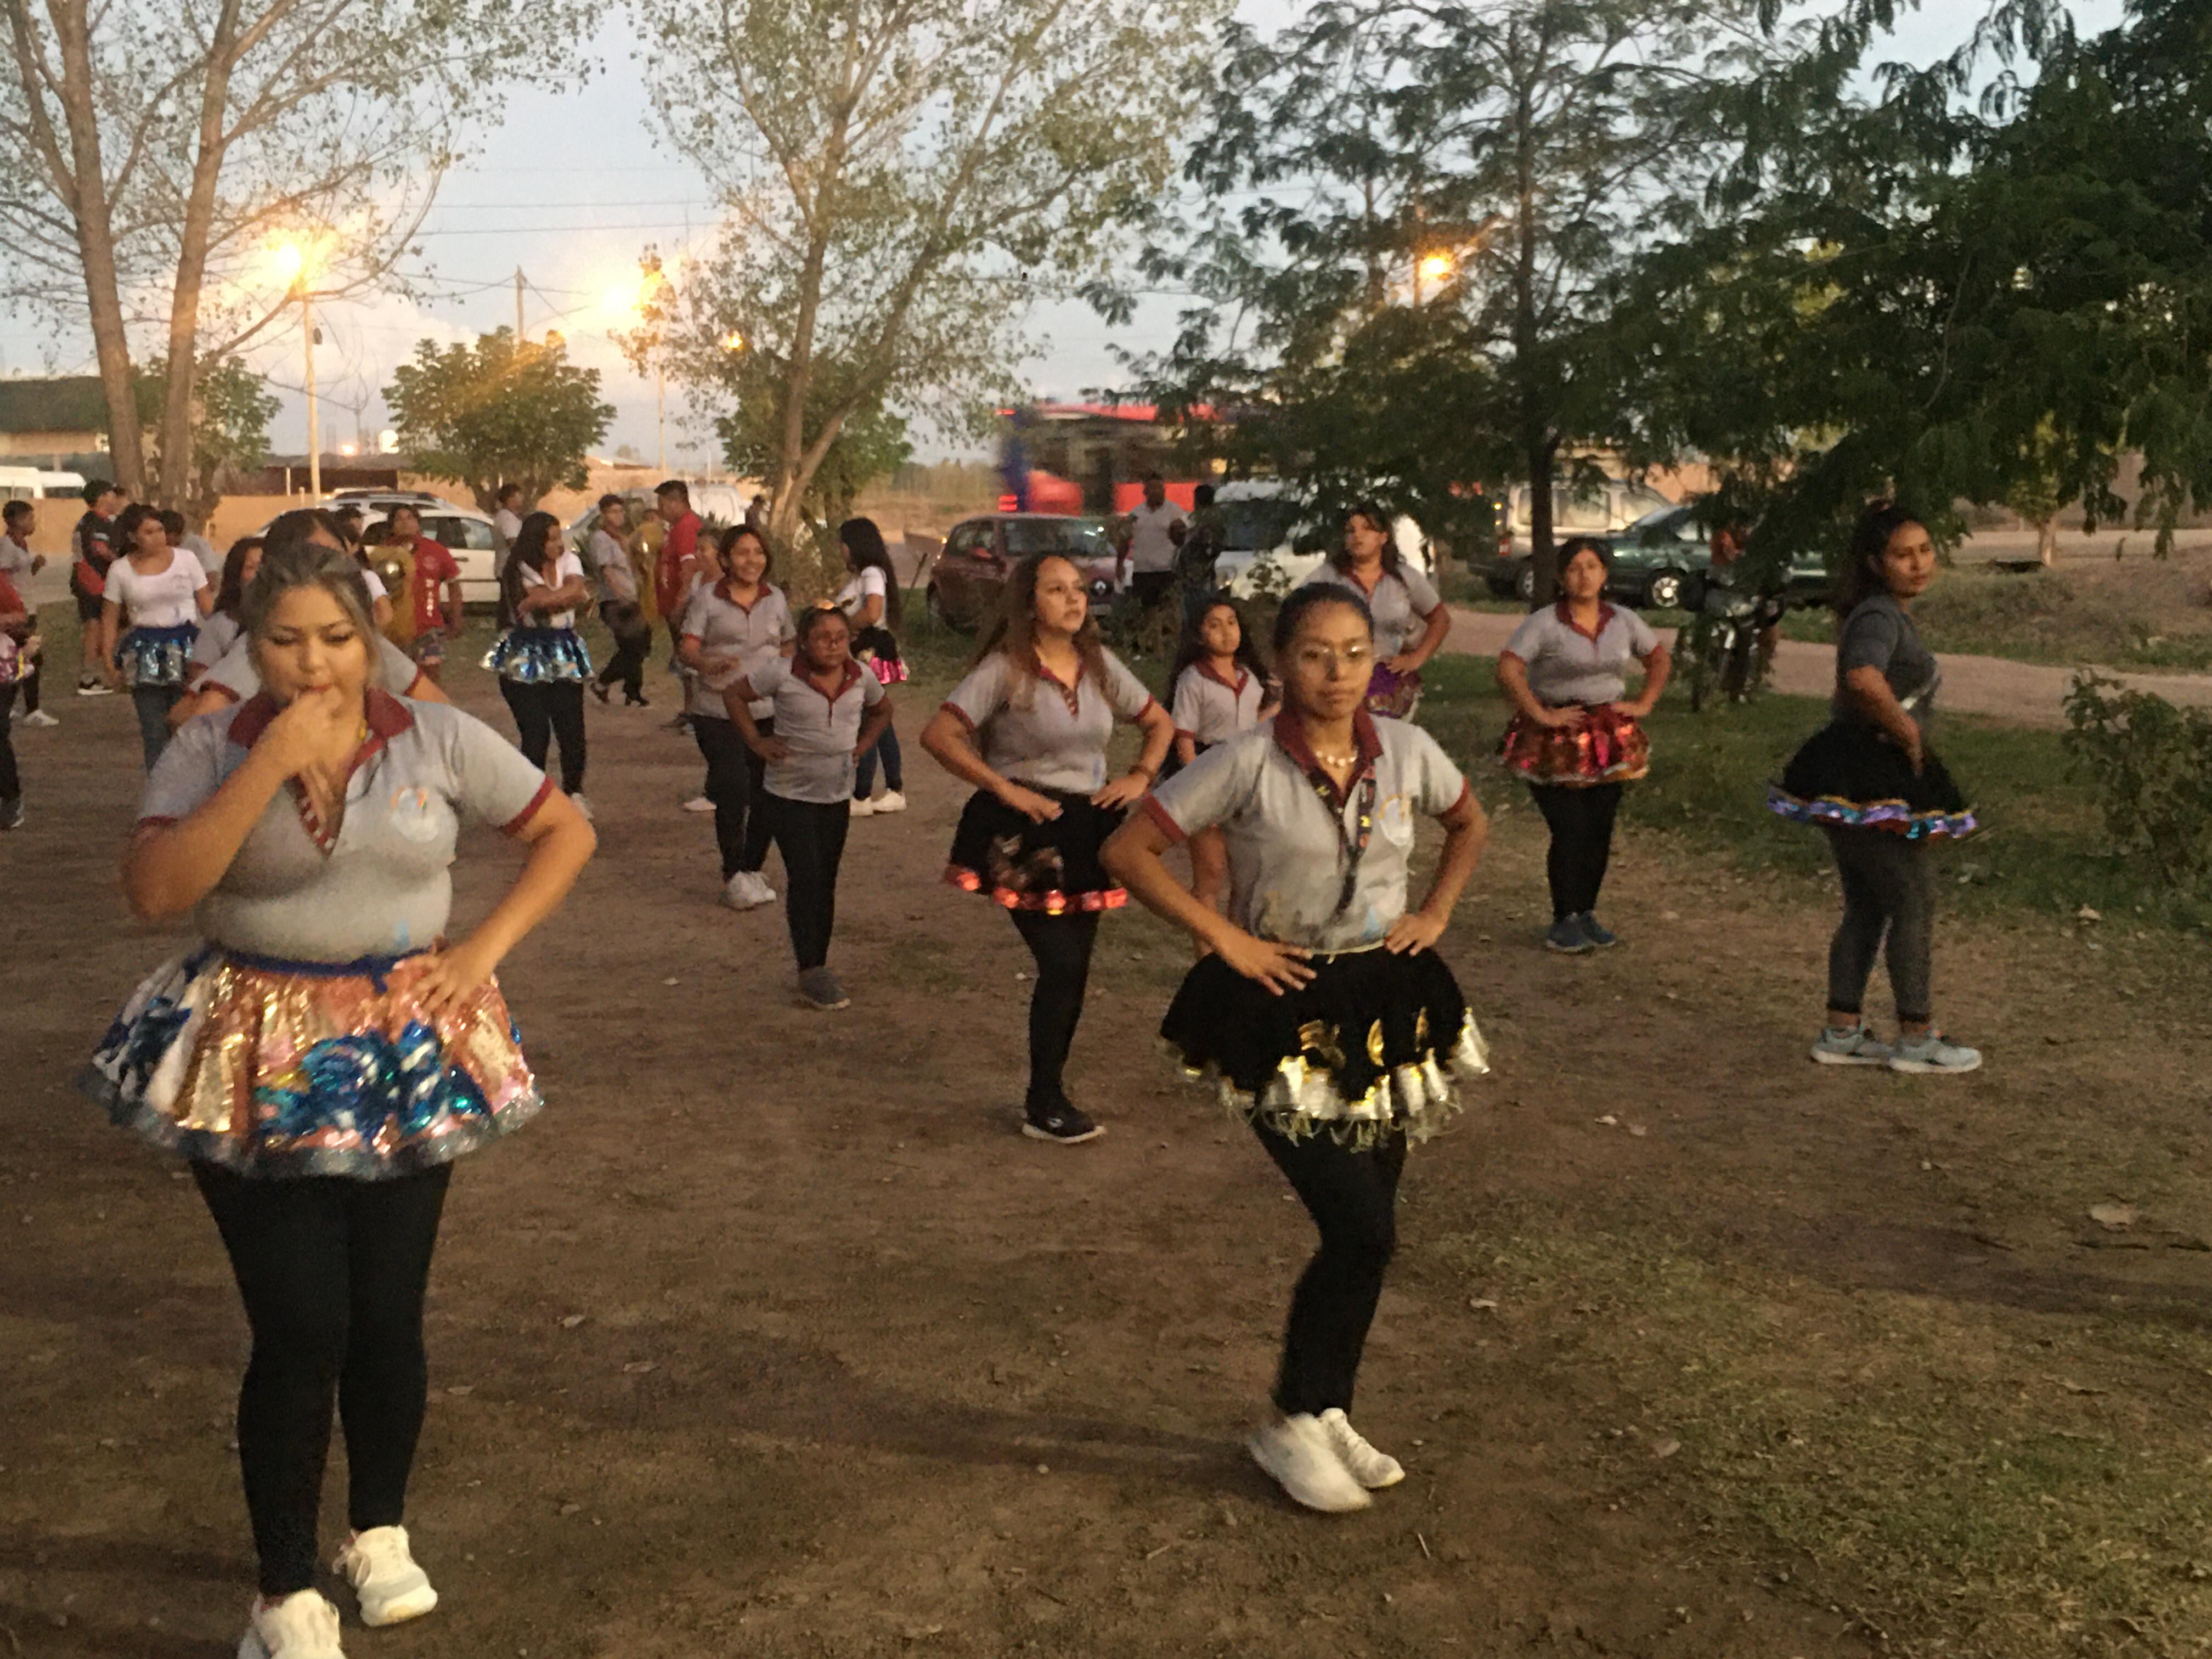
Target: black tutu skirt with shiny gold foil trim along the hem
<point>1377,1045</point>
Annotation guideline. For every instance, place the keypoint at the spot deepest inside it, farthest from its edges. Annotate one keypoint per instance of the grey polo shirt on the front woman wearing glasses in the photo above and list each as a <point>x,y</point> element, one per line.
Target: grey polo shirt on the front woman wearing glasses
<point>1291,846</point>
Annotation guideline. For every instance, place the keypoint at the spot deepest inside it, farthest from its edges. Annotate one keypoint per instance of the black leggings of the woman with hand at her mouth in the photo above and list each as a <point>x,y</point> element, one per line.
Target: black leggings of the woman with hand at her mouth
<point>333,1275</point>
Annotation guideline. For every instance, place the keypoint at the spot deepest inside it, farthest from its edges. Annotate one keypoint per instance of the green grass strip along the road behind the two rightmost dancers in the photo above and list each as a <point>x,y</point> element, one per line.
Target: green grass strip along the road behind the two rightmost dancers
<point>2043,848</point>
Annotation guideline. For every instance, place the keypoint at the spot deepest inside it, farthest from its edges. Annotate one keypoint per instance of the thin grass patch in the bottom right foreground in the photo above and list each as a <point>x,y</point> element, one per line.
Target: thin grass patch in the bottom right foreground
<point>1992,1481</point>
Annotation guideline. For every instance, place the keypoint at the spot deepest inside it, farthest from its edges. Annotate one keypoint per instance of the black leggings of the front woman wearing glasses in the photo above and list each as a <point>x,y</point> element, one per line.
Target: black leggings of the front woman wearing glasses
<point>1353,1198</point>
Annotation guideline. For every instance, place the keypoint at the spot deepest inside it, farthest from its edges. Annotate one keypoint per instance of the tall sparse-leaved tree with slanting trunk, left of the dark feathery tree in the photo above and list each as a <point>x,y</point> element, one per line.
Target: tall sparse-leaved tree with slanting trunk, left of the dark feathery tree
<point>901,180</point>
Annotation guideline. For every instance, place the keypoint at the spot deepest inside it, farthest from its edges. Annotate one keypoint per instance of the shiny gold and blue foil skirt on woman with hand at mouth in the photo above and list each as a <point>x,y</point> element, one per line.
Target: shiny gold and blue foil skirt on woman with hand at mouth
<point>282,1070</point>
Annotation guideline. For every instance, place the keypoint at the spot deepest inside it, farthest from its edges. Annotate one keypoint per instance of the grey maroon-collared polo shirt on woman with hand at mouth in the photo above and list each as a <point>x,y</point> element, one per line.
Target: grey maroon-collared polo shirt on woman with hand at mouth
<point>386,884</point>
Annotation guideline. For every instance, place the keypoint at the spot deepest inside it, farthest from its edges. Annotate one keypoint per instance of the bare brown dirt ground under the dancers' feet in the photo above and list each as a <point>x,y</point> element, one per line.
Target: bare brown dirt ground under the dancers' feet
<point>773,1337</point>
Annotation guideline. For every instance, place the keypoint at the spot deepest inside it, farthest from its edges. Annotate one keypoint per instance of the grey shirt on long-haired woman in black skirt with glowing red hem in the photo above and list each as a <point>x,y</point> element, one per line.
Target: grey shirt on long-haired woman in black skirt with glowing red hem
<point>1041,733</point>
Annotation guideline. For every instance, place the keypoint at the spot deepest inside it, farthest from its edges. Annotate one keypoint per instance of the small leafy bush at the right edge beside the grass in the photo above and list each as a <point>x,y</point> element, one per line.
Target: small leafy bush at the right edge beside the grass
<point>2151,766</point>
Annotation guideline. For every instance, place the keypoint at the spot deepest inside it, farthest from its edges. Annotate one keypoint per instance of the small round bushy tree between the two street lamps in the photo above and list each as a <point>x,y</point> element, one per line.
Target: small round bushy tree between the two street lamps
<point>497,415</point>
